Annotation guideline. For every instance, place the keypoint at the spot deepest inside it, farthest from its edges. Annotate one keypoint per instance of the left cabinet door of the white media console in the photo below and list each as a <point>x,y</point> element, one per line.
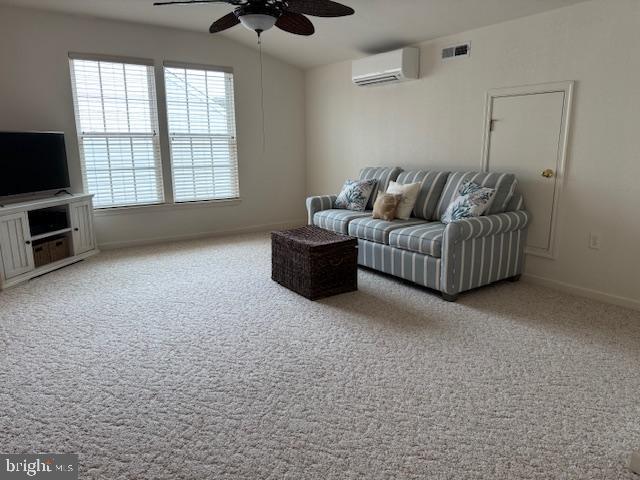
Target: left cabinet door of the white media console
<point>15,245</point>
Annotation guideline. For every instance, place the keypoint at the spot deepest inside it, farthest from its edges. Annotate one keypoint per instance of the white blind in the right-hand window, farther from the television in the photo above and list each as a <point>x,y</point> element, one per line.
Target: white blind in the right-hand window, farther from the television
<point>202,133</point>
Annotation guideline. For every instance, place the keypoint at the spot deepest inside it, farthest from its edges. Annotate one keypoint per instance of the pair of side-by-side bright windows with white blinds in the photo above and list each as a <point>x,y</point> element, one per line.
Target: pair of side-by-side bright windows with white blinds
<point>117,123</point>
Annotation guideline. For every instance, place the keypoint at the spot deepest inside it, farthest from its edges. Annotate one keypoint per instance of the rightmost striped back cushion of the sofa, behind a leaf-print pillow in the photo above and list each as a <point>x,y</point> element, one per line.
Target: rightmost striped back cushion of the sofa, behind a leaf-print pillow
<point>503,183</point>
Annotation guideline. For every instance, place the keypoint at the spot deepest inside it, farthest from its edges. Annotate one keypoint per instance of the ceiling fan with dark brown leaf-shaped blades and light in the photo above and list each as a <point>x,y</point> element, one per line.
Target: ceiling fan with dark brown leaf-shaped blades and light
<point>261,15</point>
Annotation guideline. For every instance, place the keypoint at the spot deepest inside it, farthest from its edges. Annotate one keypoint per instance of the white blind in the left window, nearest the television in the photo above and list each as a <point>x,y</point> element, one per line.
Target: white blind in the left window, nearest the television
<point>117,122</point>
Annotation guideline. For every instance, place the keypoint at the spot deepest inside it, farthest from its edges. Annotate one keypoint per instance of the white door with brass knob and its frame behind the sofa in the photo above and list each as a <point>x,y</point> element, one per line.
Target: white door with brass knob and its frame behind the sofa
<point>527,136</point>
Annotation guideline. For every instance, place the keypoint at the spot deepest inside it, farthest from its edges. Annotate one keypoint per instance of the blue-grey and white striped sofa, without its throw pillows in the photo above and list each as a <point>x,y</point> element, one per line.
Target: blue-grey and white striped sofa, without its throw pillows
<point>450,258</point>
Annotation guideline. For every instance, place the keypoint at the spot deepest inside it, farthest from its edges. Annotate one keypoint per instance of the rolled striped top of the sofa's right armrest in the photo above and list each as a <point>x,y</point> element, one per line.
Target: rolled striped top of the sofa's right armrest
<point>486,226</point>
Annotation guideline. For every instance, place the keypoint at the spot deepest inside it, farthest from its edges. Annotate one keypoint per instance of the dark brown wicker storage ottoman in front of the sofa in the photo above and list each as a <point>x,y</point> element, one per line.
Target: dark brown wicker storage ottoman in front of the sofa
<point>314,262</point>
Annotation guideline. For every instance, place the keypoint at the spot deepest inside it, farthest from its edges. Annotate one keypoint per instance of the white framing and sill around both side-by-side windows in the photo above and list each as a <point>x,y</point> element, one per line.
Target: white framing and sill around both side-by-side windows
<point>162,134</point>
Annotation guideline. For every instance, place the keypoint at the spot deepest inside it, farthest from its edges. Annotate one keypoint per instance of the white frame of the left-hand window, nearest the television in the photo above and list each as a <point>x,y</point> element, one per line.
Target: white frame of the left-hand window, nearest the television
<point>154,99</point>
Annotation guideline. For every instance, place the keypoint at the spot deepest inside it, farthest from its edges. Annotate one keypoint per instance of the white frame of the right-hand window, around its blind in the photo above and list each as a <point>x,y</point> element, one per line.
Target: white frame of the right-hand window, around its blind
<point>207,68</point>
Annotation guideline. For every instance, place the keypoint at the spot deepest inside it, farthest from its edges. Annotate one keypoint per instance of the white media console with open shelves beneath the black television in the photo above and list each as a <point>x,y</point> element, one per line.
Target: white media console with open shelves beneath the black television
<point>41,235</point>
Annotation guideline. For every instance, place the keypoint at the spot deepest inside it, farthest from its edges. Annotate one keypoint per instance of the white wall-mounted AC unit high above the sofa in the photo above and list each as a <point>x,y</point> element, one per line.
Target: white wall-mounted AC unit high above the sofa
<point>391,67</point>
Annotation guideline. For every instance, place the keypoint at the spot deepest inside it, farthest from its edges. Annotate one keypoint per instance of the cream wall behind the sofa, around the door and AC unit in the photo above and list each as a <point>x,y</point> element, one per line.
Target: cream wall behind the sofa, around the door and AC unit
<point>438,122</point>
